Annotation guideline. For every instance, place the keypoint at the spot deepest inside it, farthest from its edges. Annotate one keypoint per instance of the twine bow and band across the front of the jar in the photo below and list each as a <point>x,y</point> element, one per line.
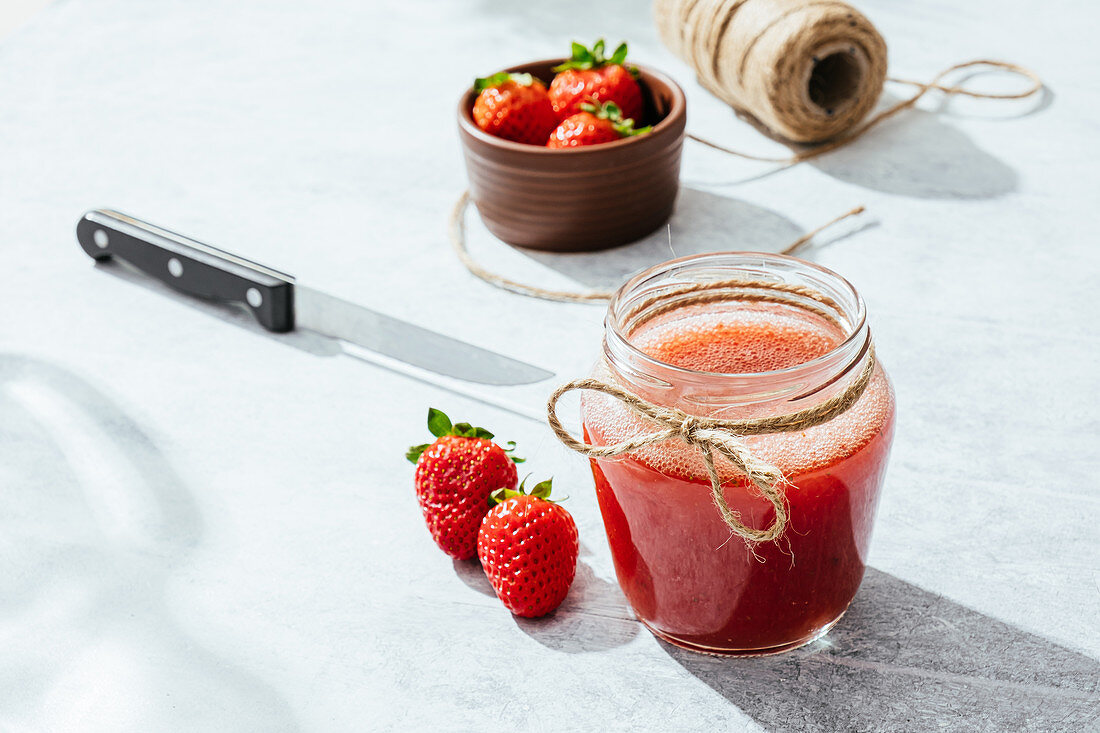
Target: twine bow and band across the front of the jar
<point>716,436</point>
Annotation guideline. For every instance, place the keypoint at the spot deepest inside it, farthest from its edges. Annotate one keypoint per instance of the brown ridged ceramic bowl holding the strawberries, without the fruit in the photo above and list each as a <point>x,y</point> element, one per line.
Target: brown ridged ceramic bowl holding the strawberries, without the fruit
<point>579,199</point>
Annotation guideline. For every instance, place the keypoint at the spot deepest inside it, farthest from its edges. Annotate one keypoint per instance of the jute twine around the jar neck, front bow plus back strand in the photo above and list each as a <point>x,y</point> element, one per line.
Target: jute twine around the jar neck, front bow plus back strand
<point>718,436</point>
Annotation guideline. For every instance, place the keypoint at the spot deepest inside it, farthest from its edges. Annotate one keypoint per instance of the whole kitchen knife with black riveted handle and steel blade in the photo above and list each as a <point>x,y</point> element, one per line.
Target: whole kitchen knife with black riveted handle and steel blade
<point>282,305</point>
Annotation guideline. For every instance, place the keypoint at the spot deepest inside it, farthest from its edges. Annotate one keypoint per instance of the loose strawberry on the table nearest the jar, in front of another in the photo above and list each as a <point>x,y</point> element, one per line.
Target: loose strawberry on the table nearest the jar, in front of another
<point>529,549</point>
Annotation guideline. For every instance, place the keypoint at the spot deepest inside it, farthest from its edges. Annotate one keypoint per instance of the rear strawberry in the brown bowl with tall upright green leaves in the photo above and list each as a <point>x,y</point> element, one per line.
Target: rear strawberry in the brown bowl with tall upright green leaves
<point>588,75</point>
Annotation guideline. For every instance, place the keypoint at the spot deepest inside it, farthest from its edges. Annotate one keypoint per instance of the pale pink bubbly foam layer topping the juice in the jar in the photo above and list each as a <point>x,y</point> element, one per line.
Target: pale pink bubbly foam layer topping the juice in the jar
<point>743,340</point>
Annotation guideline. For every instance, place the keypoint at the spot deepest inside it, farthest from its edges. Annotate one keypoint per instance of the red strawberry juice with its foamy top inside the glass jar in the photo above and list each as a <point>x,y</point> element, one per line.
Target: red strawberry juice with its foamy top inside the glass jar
<point>687,577</point>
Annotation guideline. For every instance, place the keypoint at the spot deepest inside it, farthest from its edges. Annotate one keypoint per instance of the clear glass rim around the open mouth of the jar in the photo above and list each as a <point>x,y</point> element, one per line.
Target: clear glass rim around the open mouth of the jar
<point>856,333</point>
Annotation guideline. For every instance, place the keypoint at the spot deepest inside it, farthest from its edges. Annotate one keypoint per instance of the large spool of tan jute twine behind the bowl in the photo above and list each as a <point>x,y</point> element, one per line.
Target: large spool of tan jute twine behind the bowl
<point>807,70</point>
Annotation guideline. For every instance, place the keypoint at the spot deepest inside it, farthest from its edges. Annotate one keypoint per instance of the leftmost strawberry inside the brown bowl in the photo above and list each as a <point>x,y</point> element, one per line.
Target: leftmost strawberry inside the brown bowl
<point>515,107</point>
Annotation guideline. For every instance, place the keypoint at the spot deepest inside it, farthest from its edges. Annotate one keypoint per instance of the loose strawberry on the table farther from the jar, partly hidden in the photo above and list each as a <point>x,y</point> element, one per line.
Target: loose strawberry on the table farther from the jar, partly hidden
<point>455,478</point>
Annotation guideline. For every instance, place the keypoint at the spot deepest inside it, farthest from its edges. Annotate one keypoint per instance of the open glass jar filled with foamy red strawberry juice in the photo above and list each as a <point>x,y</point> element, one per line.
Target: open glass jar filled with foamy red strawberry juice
<point>687,576</point>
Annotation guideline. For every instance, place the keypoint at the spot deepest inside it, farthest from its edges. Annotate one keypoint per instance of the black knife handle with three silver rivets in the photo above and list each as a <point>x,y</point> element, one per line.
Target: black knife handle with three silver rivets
<point>191,267</point>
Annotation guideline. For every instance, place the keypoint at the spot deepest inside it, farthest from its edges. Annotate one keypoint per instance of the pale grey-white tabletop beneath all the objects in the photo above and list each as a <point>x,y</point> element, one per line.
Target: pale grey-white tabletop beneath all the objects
<point>204,528</point>
